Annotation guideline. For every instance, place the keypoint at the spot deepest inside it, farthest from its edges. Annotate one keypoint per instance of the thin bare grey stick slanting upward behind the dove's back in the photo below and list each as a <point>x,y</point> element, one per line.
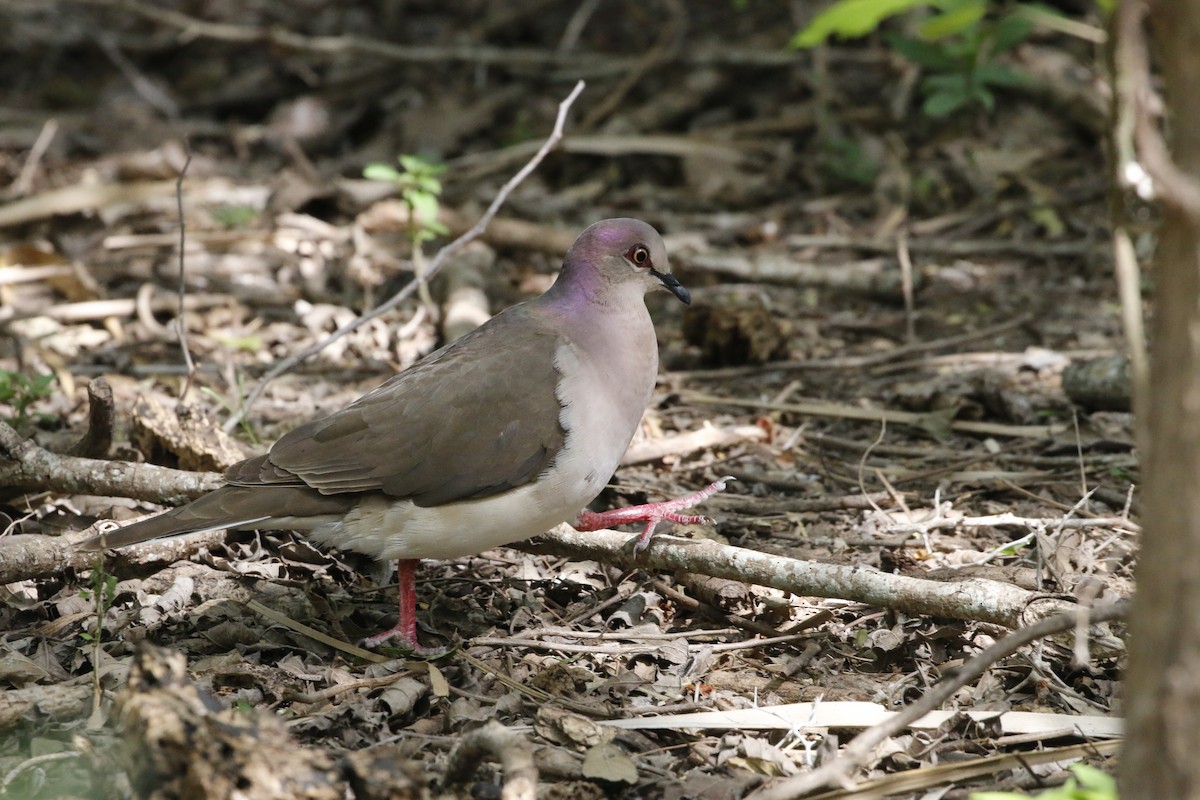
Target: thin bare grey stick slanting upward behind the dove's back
<point>443,255</point>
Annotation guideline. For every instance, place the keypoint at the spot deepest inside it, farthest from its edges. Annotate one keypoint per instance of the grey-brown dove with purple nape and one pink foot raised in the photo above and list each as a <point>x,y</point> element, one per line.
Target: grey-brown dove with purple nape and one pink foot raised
<point>495,438</point>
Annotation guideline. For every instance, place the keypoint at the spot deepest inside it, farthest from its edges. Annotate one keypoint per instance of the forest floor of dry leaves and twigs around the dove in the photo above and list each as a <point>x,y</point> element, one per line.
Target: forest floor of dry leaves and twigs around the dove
<point>802,195</point>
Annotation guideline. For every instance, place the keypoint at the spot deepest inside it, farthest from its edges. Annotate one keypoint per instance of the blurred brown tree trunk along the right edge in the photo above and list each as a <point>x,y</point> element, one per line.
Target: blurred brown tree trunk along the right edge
<point>1163,684</point>
